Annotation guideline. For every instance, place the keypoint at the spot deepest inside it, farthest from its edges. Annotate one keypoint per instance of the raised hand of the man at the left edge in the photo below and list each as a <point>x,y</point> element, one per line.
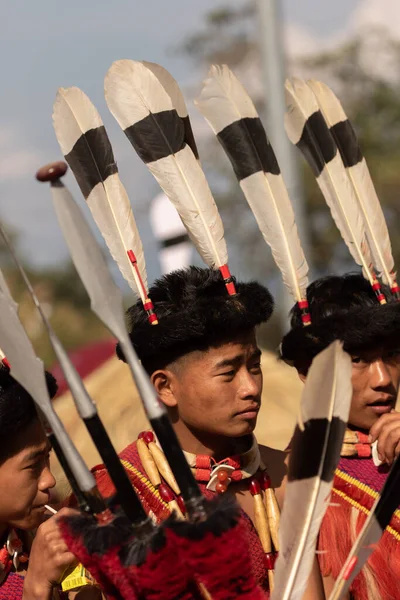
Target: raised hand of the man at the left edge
<point>48,559</point>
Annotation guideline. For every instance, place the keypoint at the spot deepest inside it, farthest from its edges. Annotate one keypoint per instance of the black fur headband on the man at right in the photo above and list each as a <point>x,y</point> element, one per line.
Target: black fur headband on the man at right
<point>342,308</point>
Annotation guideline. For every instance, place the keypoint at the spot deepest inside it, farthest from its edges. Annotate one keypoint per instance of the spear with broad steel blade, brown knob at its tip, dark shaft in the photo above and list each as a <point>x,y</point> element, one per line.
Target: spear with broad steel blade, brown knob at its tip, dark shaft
<point>107,304</point>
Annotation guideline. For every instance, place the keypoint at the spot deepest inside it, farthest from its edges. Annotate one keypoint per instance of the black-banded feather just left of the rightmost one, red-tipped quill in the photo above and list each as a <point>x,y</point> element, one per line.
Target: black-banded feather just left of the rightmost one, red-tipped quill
<point>308,130</point>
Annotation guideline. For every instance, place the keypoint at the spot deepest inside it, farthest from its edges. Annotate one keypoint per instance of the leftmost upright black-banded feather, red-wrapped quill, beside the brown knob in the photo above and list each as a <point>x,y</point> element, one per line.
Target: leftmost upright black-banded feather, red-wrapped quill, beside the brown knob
<point>86,147</point>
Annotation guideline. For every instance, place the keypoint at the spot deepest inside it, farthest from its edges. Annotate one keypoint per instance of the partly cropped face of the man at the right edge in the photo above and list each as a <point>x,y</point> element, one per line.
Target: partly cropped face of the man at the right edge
<point>375,379</point>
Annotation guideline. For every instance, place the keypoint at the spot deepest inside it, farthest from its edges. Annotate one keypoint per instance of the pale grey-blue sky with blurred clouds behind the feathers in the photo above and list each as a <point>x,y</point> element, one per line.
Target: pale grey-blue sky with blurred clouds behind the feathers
<point>46,45</point>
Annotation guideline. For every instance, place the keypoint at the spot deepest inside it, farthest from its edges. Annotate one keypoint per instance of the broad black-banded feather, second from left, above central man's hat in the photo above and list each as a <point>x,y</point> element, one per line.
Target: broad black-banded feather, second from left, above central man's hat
<point>146,113</point>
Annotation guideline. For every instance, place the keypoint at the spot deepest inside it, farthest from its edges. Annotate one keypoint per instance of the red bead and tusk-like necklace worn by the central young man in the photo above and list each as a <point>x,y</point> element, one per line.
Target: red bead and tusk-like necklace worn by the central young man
<point>218,476</point>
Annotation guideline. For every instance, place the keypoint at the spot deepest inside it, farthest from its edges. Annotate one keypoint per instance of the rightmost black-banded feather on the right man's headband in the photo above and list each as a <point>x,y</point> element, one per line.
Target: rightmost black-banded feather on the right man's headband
<point>357,170</point>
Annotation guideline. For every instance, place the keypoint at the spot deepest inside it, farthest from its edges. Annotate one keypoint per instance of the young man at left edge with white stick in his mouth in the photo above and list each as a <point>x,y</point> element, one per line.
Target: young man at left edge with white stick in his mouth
<point>25,483</point>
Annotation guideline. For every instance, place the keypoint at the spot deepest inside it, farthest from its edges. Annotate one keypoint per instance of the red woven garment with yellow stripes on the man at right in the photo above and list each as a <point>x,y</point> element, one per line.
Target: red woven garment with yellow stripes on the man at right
<point>355,486</point>
